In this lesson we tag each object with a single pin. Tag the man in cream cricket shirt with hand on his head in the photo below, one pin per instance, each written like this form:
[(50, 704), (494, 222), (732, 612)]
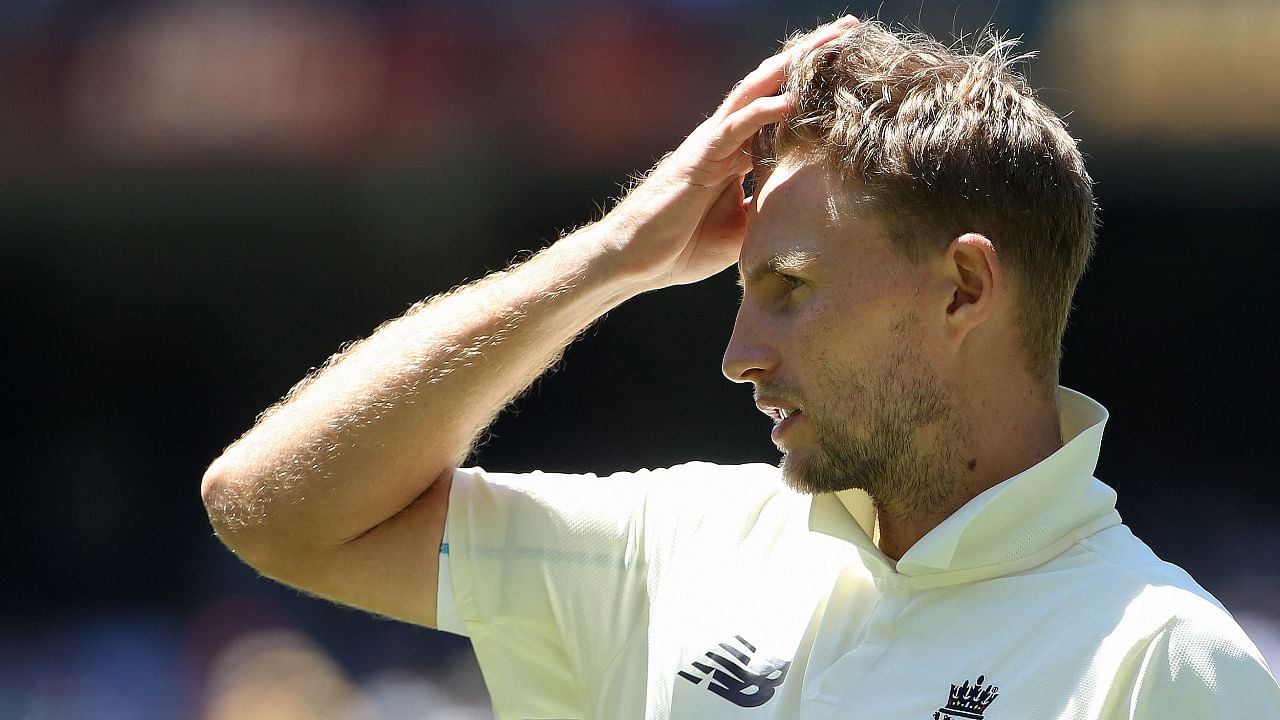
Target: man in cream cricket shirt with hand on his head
[(932, 544)]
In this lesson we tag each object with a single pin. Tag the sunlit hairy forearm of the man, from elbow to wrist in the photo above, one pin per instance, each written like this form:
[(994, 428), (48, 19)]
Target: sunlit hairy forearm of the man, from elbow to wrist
[(363, 439)]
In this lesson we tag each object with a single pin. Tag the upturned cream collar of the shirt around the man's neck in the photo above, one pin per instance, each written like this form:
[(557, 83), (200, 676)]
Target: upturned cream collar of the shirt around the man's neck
[(1016, 525)]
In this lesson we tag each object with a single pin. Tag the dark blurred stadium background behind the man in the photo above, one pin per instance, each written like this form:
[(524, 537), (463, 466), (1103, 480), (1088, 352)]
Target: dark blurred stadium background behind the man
[(202, 200)]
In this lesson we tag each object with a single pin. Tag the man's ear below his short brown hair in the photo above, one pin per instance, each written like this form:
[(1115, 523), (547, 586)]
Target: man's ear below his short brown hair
[(976, 277)]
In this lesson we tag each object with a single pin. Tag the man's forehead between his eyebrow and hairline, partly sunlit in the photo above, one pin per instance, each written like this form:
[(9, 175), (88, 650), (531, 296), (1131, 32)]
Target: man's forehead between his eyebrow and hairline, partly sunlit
[(804, 209)]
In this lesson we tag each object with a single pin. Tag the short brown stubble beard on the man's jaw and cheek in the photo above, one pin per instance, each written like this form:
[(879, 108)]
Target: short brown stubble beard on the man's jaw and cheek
[(870, 438)]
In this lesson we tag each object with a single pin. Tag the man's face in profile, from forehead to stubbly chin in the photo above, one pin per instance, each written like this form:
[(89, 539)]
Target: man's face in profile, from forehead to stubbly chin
[(839, 341)]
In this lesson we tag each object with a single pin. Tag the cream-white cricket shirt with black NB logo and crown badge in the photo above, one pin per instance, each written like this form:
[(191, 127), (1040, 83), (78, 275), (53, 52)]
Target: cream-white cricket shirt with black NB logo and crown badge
[(707, 593)]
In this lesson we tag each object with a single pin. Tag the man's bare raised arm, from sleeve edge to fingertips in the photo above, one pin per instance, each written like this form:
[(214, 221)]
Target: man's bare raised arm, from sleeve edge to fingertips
[(342, 487)]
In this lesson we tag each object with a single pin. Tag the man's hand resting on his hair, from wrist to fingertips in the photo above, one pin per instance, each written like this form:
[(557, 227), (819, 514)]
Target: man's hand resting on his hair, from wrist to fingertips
[(687, 220)]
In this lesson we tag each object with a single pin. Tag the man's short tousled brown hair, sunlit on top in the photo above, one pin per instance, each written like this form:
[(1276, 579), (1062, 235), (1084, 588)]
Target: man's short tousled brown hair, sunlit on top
[(949, 142)]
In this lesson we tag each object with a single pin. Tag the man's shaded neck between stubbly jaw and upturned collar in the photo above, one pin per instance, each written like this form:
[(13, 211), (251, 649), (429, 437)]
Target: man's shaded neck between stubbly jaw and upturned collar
[(1011, 432)]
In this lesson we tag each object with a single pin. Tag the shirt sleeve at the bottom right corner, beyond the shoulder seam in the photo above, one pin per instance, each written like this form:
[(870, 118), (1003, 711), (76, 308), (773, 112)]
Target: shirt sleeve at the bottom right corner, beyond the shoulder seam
[(1208, 668)]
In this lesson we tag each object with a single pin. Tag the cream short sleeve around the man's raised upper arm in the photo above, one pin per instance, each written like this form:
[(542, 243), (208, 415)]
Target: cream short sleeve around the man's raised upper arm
[(548, 577)]
